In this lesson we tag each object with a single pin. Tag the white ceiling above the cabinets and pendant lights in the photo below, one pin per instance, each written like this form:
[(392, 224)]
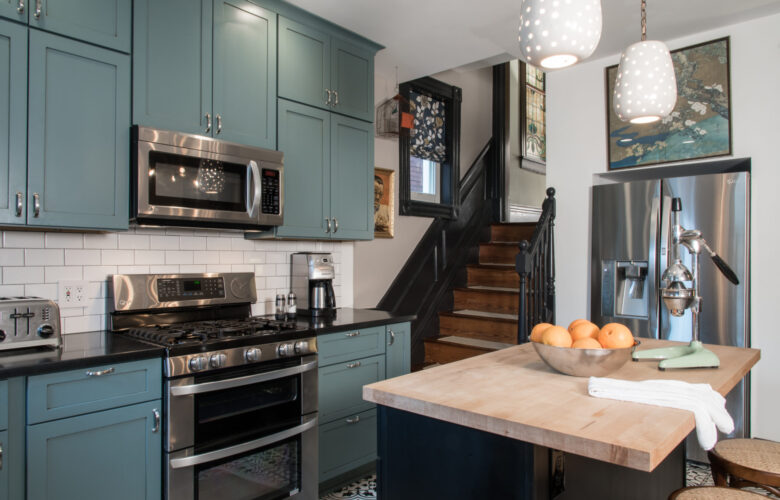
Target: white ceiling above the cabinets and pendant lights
[(423, 37)]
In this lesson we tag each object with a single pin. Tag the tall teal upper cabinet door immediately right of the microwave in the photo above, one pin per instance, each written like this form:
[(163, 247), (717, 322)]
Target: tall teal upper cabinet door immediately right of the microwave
[(304, 138)]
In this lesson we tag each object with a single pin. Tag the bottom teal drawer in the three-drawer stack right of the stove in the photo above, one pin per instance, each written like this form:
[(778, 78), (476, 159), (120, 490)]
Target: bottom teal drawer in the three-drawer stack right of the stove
[(347, 443)]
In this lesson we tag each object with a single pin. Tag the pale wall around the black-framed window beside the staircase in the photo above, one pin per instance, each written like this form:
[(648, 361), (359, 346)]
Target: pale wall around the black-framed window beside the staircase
[(379, 261)]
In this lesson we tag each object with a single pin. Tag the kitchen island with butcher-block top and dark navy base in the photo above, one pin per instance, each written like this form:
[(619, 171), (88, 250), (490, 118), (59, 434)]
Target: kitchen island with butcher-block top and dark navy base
[(505, 425)]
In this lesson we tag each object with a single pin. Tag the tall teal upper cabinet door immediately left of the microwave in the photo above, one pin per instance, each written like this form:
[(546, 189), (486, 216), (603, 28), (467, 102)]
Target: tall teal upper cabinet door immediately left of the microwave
[(78, 134)]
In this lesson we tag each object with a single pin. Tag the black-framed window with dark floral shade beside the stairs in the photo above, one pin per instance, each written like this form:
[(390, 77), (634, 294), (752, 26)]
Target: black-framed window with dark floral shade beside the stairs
[(430, 152)]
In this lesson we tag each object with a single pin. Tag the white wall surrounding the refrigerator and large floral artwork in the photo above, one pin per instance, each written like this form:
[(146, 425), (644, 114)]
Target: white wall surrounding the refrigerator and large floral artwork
[(577, 150)]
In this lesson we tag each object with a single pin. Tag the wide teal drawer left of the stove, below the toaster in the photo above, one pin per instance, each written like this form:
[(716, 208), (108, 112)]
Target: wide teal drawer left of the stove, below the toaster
[(64, 394)]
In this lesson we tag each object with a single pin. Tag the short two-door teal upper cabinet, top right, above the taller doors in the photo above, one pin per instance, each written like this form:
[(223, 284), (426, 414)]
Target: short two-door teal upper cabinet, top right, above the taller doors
[(326, 71)]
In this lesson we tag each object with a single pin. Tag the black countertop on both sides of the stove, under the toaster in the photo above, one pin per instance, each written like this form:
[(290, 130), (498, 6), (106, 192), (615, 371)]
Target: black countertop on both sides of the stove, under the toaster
[(81, 350)]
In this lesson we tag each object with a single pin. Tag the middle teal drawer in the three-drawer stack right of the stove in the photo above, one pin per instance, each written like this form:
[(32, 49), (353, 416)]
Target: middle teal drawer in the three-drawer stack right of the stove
[(341, 386)]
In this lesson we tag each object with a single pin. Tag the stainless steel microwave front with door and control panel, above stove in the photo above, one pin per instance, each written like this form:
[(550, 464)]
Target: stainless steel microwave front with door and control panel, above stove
[(186, 185)]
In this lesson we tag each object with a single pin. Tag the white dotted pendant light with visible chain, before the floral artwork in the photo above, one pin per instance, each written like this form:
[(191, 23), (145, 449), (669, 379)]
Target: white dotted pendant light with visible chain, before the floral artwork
[(645, 86)]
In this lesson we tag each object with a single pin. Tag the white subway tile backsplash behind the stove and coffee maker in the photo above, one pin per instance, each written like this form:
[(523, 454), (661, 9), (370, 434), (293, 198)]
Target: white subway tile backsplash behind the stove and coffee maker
[(32, 263)]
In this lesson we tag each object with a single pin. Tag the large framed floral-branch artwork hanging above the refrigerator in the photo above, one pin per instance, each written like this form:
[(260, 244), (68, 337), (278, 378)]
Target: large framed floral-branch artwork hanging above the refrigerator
[(698, 127)]
